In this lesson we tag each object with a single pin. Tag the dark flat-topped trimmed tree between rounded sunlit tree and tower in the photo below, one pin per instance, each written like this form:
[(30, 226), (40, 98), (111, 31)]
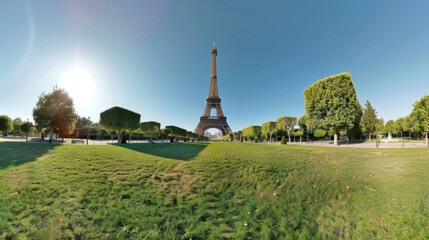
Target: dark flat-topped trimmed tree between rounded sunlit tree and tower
[(120, 119)]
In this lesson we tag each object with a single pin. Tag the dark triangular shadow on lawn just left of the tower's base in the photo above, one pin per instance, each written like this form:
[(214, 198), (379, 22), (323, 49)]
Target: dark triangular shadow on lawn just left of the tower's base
[(178, 151)]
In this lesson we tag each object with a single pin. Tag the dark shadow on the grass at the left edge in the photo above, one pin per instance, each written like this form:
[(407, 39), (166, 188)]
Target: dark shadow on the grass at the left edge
[(16, 153)]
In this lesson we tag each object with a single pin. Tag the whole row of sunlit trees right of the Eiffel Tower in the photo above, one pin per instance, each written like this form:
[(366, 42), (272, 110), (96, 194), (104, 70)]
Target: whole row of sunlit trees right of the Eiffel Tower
[(333, 110)]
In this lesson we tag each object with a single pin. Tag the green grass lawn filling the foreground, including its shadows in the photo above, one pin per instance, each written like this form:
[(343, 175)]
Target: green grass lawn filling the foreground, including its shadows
[(212, 191)]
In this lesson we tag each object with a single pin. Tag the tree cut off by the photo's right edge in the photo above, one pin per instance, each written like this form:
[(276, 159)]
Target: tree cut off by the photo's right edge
[(420, 116)]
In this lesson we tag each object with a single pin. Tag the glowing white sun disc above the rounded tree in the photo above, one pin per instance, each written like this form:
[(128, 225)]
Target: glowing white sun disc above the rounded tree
[(78, 82)]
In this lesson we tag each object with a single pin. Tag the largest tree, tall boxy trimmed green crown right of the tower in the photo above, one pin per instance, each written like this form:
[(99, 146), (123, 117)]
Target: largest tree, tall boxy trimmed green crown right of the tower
[(333, 102)]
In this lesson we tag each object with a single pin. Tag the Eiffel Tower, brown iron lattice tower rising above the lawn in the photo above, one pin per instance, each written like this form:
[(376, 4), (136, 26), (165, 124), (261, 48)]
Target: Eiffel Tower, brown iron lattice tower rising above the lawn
[(213, 102)]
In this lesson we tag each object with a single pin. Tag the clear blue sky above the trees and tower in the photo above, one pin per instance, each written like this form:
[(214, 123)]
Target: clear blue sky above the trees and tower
[(153, 57)]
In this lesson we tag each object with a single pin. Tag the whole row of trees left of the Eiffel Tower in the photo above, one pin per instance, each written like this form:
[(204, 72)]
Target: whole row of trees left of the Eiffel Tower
[(54, 114)]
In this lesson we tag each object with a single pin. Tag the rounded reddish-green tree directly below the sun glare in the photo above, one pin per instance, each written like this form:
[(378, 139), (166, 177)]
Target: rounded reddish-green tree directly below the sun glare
[(55, 111)]
